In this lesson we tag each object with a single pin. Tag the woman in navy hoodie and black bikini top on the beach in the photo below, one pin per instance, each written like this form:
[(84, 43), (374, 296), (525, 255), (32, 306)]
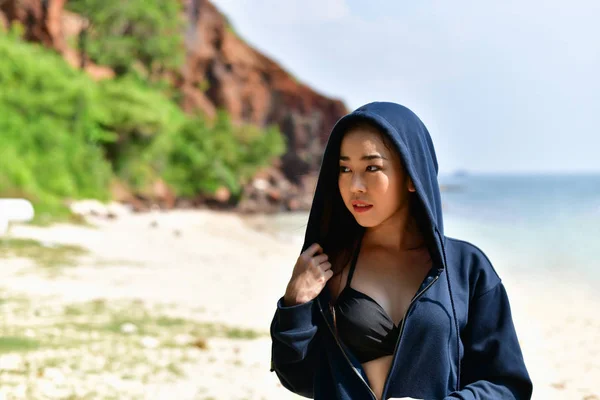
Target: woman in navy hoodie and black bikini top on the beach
[(381, 304)]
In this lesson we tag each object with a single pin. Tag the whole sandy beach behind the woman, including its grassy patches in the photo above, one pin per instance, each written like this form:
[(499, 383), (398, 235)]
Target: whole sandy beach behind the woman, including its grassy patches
[(177, 304)]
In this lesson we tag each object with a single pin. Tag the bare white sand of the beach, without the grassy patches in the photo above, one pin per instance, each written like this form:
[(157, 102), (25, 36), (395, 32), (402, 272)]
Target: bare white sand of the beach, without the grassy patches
[(213, 267)]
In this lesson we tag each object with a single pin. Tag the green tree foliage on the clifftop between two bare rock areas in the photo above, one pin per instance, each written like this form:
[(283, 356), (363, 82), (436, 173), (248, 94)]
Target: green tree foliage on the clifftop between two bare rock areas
[(123, 33)]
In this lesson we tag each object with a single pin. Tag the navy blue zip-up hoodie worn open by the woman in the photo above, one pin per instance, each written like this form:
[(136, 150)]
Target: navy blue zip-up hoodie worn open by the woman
[(457, 340)]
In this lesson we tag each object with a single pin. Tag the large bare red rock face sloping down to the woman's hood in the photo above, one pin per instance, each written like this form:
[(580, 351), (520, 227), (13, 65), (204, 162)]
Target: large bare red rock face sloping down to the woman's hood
[(222, 71)]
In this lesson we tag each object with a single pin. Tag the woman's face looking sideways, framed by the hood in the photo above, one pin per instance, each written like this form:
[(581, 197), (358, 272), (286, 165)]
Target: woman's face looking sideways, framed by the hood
[(371, 174)]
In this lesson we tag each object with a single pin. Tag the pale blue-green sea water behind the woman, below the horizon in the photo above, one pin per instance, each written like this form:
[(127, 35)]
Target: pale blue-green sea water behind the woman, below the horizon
[(541, 224)]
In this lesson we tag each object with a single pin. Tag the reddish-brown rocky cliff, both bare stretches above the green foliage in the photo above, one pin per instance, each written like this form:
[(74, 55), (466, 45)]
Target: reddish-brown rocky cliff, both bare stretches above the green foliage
[(221, 71)]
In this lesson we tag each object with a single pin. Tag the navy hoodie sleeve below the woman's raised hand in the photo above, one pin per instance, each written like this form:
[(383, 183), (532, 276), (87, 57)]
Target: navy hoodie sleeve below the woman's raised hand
[(294, 346)]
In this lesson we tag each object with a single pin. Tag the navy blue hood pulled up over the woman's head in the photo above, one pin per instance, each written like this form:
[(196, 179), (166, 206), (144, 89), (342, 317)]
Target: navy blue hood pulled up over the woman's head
[(333, 226)]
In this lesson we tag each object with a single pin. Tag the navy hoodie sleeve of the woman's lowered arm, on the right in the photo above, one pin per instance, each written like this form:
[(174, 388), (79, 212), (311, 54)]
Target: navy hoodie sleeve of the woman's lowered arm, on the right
[(493, 365)]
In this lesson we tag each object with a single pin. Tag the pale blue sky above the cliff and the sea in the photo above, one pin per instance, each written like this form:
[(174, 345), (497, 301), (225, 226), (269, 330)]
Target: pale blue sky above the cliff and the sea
[(509, 87)]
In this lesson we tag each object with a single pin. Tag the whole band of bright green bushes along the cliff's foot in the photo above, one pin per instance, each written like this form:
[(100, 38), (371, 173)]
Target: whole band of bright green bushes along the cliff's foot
[(64, 135)]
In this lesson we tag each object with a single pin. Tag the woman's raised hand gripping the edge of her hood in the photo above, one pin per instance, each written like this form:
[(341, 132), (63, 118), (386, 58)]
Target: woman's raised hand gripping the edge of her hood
[(309, 277)]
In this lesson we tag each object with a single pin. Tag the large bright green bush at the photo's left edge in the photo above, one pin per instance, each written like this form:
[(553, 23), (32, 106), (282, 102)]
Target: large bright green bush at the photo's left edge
[(48, 130)]
